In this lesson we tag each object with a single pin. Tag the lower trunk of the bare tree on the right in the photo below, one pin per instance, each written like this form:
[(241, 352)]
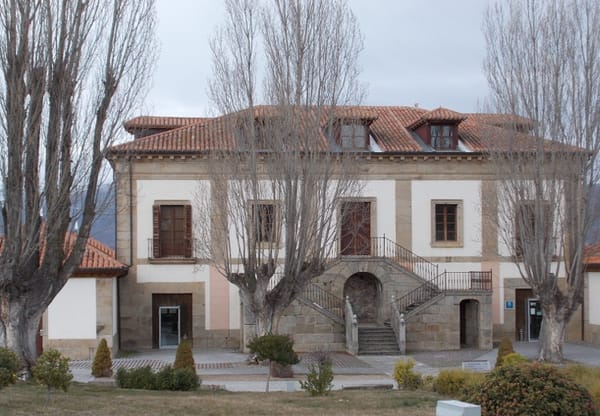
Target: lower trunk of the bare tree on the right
[(552, 335)]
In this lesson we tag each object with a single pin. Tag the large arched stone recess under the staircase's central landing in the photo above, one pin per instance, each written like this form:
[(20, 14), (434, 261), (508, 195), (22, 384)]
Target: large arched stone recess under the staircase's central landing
[(363, 290)]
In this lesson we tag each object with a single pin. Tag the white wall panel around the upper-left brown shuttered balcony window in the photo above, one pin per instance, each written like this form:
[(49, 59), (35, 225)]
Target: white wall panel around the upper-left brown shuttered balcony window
[(150, 191)]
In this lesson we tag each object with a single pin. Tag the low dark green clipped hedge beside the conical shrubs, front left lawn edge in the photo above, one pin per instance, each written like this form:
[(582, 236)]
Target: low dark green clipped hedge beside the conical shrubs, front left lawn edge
[(168, 378)]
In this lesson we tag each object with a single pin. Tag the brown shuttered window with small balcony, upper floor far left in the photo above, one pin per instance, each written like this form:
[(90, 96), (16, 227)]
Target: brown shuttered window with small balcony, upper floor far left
[(172, 231)]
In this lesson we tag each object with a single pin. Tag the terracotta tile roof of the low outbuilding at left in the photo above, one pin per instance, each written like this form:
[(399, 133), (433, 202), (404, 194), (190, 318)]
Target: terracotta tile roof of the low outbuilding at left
[(98, 259)]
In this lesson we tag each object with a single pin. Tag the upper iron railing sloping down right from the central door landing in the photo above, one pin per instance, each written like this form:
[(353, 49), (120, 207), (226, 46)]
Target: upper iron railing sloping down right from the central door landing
[(388, 249)]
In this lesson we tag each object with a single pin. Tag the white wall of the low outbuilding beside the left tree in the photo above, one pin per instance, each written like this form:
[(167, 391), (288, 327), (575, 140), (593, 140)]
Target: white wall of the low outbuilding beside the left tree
[(72, 313)]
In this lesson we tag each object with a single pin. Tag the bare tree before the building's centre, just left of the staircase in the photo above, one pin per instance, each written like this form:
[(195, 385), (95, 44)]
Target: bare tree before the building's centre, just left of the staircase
[(275, 191)]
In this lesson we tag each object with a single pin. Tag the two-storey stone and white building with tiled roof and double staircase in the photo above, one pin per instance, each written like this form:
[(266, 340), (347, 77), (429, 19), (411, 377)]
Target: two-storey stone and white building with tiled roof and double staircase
[(428, 251)]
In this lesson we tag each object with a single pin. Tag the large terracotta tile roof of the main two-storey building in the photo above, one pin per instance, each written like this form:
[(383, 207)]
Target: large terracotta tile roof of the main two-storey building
[(391, 127)]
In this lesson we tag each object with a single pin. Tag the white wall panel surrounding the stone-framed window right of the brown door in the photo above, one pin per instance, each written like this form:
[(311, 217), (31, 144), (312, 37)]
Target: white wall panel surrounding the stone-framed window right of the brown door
[(469, 192)]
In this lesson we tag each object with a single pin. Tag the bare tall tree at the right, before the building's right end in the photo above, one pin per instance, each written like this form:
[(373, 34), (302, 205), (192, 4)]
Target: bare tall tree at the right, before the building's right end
[(543, 64)]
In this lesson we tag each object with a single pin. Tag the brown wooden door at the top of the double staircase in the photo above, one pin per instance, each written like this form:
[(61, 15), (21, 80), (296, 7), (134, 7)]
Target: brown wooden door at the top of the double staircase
[(356, 229)]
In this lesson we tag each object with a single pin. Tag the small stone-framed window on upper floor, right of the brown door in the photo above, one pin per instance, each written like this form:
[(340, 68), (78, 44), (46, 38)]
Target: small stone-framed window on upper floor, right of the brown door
[(447, 223)]
